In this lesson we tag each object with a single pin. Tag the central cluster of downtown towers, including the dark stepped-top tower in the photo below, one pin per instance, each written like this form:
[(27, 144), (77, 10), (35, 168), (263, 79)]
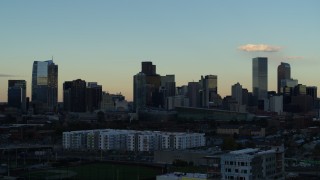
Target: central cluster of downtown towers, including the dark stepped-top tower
[(152, 90)]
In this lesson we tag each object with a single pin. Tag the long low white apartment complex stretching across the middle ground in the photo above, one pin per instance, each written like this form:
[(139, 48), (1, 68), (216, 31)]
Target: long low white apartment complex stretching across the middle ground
[(130, 140)]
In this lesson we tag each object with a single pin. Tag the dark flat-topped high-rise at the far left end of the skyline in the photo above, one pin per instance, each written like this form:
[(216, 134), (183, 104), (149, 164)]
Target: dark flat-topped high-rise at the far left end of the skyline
[(17, 94)]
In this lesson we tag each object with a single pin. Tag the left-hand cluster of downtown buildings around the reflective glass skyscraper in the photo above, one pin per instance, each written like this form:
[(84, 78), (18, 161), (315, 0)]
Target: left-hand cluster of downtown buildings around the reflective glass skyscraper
[(78, 95)]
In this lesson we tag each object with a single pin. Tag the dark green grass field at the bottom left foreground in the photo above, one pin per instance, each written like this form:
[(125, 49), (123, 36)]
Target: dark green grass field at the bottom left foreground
[(99, 171)]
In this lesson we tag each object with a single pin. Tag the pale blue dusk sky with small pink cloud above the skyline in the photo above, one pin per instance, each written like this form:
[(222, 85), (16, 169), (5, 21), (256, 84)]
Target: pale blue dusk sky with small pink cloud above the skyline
[(106, 41)]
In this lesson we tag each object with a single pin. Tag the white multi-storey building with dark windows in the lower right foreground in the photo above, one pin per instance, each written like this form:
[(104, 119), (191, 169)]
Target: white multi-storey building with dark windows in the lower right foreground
[(253, 164)]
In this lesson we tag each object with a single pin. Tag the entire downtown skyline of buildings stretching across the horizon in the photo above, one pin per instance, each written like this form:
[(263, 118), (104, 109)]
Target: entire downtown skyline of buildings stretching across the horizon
[(151, 90)]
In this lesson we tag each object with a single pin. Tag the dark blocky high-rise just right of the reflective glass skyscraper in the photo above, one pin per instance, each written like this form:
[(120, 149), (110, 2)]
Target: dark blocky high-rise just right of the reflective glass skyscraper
[(74, 96)]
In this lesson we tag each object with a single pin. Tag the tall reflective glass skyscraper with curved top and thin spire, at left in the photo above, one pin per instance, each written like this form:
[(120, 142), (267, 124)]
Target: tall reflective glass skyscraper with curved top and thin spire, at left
[(45, 84)]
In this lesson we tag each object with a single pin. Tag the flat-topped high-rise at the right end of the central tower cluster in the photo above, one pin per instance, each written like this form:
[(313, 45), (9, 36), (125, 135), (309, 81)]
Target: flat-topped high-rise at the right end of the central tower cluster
[(209, 90)]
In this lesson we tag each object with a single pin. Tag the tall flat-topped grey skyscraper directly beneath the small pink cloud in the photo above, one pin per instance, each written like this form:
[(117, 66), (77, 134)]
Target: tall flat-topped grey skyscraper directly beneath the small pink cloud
[(260, 77)]
